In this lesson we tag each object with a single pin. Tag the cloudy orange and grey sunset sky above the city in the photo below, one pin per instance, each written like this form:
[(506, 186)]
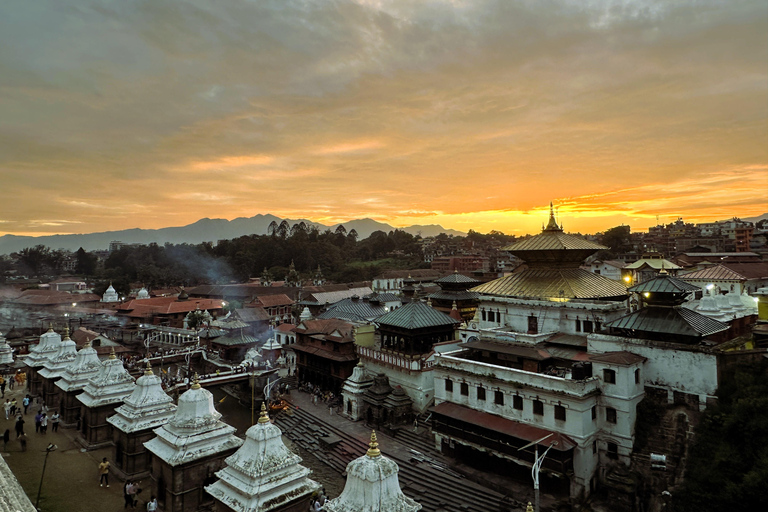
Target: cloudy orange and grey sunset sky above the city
[(473, 114)]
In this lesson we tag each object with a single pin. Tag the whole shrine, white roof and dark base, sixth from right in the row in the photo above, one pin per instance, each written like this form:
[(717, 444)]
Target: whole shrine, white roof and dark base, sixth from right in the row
[(73, 379)]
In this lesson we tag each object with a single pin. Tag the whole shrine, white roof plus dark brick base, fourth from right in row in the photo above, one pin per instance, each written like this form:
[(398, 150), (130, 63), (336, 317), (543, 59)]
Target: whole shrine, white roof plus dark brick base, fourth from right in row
[(134, 422)]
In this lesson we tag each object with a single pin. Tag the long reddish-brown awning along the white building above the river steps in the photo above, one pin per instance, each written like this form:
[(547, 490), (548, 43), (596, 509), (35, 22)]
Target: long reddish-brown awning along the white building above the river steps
[(512, 428)]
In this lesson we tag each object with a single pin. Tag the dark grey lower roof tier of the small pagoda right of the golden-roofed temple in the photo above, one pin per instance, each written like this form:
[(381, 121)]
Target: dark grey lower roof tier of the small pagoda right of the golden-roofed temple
[(676, 321)]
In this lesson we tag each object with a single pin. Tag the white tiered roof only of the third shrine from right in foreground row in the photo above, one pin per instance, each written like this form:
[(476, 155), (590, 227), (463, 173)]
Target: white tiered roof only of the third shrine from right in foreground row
[(195, 431)]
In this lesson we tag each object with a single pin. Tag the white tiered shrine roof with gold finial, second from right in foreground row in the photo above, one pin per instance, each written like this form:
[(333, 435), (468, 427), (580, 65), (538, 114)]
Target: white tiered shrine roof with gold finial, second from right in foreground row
[(263, 474)]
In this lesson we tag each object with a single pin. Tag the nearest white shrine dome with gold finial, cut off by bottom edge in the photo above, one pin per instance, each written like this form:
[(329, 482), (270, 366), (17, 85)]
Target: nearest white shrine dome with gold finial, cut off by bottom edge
[(372, 486)]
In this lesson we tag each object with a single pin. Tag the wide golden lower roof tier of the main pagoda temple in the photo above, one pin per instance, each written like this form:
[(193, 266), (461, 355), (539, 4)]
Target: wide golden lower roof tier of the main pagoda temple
[(575, 283)]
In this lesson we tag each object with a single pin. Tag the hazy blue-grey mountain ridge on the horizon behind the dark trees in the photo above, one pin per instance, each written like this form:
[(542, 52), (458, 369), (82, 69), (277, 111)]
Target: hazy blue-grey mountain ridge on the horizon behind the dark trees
[(204, 230)]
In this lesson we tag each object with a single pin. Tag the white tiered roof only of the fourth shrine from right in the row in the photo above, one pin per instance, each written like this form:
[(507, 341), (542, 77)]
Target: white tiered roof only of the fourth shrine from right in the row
[(148, 406)]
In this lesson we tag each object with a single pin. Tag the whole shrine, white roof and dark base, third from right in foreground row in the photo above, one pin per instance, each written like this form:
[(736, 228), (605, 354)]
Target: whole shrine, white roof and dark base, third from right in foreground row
[(188, 451)]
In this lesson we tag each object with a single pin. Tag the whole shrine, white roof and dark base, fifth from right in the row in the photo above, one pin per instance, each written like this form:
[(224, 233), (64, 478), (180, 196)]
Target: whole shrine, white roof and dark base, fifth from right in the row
[(100, 397)]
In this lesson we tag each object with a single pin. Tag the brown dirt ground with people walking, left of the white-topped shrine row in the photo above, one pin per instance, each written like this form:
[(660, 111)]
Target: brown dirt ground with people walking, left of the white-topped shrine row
[(71, 480)]
